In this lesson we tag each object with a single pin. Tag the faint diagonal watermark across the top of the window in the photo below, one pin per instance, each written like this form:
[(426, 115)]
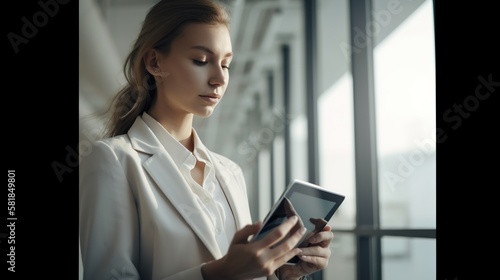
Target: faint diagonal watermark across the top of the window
[(380, 19)]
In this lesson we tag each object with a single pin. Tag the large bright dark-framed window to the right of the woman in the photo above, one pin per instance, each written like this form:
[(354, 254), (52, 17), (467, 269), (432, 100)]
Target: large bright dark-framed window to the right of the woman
[(376, 131)]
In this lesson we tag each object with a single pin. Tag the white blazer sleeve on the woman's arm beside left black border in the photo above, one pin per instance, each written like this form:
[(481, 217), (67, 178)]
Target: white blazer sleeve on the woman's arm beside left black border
[(109, 232)]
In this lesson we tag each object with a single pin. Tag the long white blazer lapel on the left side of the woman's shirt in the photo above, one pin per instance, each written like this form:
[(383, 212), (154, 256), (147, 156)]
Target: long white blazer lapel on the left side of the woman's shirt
[(166, 175)]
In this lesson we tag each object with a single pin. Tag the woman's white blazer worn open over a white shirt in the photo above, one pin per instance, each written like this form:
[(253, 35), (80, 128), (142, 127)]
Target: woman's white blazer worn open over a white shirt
[(138, 216)]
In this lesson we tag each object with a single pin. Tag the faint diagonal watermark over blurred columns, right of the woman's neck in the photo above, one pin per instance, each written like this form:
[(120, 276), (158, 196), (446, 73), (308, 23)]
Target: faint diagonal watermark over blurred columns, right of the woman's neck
[(274, 123)]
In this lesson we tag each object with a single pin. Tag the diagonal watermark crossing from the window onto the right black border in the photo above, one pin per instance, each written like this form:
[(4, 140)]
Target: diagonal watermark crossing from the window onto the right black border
[(453, 116)]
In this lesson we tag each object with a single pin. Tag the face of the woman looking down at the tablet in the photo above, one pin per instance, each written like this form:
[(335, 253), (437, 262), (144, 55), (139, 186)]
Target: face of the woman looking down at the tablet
[(195, 72)]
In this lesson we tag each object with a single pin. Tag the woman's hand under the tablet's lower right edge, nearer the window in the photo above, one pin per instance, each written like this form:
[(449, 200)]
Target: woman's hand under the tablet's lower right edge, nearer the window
[(313, 258)]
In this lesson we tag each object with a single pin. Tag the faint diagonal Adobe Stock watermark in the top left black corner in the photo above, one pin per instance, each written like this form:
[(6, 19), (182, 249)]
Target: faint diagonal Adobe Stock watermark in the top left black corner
[(31, 26)]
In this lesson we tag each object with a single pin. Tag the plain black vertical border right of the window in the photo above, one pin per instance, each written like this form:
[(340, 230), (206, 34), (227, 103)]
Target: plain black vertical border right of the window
[(467, 147)]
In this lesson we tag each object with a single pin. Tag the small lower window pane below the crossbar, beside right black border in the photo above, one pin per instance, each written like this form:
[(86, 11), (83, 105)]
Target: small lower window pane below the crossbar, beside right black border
[(408, 258)]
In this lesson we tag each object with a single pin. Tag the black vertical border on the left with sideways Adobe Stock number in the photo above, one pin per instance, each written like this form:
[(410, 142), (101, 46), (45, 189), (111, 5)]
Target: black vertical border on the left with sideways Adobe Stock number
[(41, 89)]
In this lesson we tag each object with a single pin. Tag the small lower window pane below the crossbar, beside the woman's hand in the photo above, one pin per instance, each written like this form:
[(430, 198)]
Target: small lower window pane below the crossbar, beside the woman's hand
[(342, 263)]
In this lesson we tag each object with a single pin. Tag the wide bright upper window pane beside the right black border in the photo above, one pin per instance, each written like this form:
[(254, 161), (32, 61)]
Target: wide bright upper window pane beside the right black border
[(404, 69)]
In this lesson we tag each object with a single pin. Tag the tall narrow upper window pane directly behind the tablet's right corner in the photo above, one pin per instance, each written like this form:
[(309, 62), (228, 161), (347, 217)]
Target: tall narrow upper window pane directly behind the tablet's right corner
[(335, 108)]
